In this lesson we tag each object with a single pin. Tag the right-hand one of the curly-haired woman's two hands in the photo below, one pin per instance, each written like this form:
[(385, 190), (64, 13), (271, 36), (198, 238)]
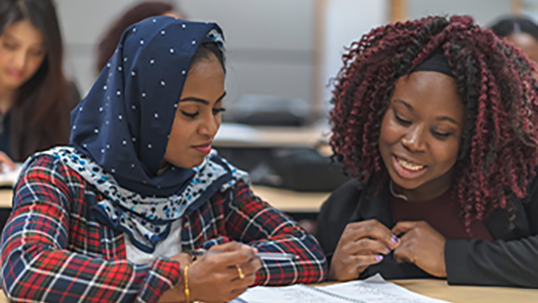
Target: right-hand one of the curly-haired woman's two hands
[(421, 245)]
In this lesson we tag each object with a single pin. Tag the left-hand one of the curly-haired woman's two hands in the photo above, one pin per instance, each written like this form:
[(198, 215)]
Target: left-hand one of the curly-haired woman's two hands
[(361, 245)]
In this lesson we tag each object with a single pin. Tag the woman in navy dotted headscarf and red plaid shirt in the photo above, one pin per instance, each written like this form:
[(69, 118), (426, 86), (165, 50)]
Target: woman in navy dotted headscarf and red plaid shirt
[(116, 215)]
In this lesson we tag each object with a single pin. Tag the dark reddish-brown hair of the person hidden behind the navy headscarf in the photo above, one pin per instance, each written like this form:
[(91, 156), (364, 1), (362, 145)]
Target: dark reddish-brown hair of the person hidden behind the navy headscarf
[(137, 13)]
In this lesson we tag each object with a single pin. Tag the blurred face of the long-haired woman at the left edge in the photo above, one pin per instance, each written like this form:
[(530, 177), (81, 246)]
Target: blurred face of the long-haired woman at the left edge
[(22, 51)]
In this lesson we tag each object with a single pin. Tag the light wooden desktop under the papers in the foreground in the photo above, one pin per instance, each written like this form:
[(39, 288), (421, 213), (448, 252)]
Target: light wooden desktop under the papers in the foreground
[(456, 294)]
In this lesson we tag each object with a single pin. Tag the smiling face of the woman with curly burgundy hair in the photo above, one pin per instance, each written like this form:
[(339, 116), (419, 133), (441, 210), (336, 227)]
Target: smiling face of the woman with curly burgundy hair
[(421, 133)]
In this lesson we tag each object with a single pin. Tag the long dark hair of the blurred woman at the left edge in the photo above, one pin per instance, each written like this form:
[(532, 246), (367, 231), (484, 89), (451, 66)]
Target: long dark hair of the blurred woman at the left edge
[(40, 111)]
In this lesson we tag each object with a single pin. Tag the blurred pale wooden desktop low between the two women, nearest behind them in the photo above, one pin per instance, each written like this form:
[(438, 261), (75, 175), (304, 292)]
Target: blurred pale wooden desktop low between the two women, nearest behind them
[(291, 201)]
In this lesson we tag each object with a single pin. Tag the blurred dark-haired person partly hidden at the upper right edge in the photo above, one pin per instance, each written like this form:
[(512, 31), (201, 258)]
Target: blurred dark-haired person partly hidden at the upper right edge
[(520, 31)]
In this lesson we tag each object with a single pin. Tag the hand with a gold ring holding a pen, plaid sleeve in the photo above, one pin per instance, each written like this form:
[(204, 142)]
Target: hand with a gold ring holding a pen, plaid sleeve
[(215, 277)]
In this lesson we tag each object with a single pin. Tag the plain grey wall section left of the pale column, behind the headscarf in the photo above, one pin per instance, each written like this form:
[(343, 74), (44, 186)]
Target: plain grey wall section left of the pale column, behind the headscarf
[(270, 48)]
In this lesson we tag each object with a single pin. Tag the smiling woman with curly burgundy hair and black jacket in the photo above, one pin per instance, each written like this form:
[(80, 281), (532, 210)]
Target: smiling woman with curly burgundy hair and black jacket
[(436, 121)]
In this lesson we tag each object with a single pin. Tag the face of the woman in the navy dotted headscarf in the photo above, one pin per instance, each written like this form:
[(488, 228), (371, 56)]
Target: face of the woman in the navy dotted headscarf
[(198, 115)]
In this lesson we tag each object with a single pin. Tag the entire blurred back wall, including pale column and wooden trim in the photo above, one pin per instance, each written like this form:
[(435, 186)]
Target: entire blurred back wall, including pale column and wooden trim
[(275, 47)]
